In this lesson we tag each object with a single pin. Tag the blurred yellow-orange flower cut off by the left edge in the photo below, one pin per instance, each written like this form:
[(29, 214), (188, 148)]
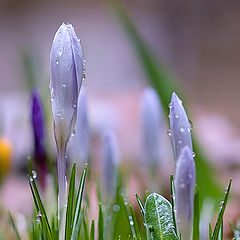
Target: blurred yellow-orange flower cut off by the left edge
[(5, 156)]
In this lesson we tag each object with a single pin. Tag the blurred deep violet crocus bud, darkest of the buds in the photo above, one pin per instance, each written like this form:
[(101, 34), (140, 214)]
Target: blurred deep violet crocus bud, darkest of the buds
[(37, 117)]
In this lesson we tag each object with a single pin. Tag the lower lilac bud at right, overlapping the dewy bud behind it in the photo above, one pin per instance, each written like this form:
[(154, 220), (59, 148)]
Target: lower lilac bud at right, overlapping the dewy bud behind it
[(185, 178)]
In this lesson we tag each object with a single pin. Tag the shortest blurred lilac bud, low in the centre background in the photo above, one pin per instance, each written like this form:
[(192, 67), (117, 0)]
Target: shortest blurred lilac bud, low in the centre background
[(110, 162)]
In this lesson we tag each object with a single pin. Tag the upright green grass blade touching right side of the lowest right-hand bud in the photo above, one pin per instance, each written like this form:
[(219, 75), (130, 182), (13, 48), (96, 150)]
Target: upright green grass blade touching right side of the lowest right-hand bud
[(196, 215)]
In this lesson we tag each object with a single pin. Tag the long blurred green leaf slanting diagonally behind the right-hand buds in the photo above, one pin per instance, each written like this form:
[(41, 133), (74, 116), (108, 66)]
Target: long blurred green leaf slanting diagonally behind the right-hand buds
[(159, 78)]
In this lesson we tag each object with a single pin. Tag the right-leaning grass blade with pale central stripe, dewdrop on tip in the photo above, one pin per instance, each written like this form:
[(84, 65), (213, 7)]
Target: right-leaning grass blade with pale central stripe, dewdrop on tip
[(77, 209)]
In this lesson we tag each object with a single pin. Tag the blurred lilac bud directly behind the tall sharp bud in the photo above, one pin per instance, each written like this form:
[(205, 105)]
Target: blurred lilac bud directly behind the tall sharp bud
[(78, 147)]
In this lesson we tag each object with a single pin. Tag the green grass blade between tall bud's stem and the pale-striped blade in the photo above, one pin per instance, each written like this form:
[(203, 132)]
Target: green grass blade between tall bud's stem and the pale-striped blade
[(69, 214)]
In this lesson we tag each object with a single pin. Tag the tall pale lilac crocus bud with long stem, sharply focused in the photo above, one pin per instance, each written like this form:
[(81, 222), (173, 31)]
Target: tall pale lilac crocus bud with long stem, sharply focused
[(67, 69)]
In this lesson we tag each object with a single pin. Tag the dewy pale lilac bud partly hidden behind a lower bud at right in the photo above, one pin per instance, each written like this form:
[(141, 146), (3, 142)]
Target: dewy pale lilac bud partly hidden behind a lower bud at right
[(180, 127)]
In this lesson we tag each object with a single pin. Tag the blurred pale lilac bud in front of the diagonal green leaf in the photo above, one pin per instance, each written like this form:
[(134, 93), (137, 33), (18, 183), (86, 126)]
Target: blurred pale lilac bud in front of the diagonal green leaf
[(151, 121)]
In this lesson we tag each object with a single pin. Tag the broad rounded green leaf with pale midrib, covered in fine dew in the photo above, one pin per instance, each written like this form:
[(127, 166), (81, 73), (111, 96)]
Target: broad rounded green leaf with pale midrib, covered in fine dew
[(159, 218)]
